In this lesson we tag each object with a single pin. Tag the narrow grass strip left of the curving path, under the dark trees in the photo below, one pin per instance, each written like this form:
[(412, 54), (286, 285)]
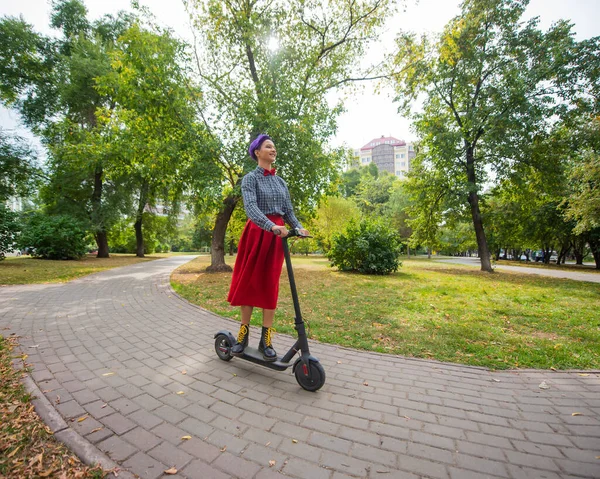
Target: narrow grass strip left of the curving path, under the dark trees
[(27, 270)]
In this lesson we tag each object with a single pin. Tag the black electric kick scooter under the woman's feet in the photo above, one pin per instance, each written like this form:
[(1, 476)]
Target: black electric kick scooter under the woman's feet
[(307, 369)]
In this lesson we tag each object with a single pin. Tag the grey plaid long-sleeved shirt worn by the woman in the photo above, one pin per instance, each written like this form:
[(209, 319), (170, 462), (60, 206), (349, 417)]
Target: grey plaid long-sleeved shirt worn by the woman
[(267, 195)]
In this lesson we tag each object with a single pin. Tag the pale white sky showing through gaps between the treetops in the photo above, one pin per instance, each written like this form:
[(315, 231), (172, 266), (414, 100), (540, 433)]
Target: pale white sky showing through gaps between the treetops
[(368, 115)]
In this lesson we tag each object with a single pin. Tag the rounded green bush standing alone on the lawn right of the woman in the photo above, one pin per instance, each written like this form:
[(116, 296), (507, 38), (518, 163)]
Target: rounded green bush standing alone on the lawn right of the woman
[(369, 248)]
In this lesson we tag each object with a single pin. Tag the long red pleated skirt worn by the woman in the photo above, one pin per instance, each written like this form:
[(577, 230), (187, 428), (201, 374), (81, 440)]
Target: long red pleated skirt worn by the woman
[(255, 280)]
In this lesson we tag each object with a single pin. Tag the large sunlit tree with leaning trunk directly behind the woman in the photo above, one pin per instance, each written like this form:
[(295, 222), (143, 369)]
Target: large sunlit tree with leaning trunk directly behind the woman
[(267, 66)]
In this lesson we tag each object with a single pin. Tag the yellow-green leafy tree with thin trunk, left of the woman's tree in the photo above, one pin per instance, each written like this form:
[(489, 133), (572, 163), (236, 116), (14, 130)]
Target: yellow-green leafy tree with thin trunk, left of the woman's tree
[(152, 124)]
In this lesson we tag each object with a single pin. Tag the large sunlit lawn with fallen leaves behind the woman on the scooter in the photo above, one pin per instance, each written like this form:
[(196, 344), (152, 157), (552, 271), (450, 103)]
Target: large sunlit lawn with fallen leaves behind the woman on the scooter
[(431, 310)]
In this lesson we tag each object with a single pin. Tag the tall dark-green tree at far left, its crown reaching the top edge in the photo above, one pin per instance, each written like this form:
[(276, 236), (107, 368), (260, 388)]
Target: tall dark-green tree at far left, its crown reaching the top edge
[(51, 82)]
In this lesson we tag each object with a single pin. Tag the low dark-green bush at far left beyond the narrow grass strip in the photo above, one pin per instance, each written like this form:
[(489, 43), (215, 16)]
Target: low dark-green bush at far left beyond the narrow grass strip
[(54, 237)]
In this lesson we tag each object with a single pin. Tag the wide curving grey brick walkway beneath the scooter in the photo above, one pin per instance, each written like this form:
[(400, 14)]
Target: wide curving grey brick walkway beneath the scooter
[(121, 349)]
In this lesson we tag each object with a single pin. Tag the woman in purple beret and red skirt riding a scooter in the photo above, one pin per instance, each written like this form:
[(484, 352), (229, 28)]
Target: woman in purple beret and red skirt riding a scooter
[(255, 281)]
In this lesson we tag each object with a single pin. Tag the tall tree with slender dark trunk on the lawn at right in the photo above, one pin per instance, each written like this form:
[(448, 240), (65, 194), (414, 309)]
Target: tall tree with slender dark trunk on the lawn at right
[(490, 86)]
